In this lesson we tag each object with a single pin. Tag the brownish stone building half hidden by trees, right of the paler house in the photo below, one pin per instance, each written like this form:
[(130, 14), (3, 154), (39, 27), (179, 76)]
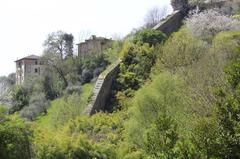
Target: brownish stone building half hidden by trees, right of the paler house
[(93, 46)]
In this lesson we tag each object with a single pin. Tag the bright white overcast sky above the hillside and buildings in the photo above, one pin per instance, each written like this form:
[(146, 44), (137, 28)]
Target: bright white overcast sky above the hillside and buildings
[(25, 24)]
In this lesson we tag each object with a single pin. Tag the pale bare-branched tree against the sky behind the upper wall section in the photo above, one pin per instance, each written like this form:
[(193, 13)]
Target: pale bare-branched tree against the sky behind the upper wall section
[(154, 16)]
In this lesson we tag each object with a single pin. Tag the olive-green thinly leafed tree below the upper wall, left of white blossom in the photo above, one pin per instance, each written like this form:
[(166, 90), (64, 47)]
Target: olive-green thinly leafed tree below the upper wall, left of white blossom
[(181, 50)]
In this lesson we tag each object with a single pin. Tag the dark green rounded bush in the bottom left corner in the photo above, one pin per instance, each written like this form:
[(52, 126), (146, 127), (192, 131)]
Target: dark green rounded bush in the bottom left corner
[(14, 139)]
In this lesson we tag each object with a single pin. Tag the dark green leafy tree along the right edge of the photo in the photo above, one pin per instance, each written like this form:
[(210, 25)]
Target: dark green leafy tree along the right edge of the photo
[(228, 113)]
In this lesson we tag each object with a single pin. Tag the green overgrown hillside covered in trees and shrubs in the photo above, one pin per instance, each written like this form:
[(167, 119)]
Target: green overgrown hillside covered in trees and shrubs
[(176, 95)]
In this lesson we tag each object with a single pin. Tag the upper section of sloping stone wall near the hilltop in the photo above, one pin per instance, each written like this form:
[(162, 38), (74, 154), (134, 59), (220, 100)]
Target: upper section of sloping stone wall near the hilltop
[(171, 23)]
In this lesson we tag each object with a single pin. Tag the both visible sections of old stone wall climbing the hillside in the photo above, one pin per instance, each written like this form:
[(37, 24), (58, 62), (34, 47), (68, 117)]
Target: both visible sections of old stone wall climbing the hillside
[(102, 89)]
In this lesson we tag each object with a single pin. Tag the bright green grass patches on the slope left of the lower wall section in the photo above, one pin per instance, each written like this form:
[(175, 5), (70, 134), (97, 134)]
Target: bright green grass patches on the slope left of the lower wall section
[(45, 121)]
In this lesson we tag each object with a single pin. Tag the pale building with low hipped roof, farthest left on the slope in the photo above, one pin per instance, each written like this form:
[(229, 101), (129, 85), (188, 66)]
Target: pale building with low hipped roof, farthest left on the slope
[(28, 66)]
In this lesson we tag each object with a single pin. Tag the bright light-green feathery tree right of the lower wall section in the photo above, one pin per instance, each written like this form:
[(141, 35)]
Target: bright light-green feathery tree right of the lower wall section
[(158, 102)]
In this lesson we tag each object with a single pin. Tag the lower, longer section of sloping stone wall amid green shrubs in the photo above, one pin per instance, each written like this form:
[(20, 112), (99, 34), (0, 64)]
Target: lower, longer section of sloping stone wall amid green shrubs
[(102, 89)]
